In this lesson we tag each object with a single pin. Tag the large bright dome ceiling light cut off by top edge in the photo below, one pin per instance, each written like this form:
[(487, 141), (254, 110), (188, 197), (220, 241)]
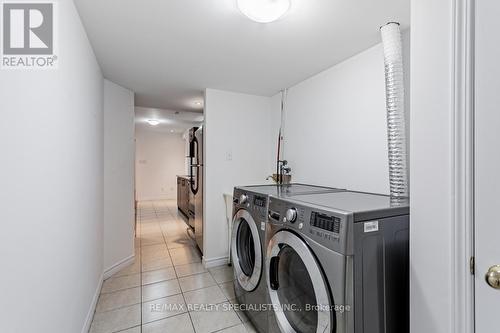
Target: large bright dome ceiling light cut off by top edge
[(264, 11)]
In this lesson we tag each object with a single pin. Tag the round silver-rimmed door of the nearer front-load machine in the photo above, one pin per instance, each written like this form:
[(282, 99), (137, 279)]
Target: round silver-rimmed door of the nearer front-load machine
[(298, 291)]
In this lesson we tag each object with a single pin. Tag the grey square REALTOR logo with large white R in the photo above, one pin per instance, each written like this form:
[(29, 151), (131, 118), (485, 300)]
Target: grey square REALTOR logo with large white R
[(28, 35)]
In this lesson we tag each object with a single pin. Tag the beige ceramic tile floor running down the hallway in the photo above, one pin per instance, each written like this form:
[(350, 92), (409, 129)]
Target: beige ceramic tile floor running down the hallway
[(167, 288)]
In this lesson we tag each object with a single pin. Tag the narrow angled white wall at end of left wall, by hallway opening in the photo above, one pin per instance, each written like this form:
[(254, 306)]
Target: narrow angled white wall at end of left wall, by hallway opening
[(119, 151)]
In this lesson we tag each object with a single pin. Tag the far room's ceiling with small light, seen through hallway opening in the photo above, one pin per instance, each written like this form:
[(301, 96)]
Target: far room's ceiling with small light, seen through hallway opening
[(170, 121)]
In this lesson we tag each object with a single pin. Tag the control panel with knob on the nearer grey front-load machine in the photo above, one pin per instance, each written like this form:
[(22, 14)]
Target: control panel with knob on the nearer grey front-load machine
[(313, 223)]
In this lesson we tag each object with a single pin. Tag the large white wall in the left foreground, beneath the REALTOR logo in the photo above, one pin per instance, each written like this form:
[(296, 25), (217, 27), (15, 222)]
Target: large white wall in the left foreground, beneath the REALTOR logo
[(51, 198)]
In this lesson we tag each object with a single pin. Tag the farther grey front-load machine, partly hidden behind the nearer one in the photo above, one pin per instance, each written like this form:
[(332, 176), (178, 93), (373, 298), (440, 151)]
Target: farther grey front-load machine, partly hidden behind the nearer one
[(250, 209)]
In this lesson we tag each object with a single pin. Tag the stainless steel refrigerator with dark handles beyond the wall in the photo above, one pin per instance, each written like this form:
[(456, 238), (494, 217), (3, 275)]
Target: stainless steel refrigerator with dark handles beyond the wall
[(196, 183)]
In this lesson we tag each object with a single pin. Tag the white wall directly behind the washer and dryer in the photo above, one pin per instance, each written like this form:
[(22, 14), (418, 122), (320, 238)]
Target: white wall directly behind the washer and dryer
[(335, 124)]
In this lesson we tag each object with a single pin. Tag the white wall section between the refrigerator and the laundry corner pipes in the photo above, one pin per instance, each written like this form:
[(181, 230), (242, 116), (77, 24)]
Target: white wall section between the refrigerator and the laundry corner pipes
[(237, 134)]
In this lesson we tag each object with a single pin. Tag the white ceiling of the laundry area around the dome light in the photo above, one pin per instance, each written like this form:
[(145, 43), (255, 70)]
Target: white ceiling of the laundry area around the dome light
[(169, 51)]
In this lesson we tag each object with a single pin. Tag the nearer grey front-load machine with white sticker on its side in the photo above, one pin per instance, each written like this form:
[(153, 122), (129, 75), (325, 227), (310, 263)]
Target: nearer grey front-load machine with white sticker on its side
[(338, 262)]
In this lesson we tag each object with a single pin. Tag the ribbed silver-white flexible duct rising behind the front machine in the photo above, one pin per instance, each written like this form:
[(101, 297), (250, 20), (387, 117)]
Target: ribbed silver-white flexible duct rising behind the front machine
[(395, 102)]
